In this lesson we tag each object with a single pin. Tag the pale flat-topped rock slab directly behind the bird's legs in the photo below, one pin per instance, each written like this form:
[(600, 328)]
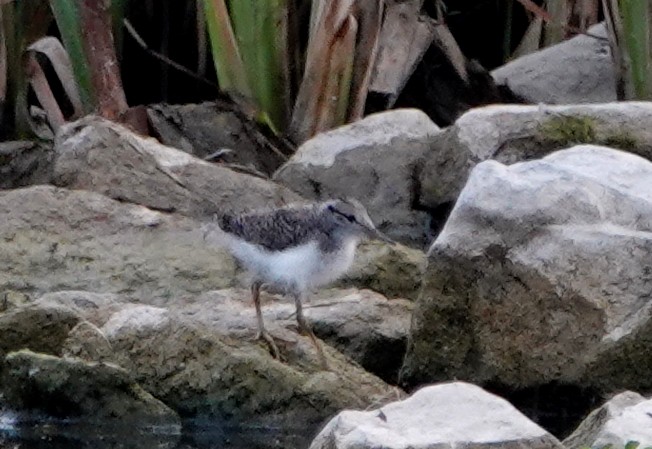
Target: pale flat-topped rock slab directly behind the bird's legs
[(359, 323)]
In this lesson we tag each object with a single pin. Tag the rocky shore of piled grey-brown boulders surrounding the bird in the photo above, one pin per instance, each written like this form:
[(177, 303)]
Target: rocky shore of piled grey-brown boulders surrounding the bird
[(516, 310)]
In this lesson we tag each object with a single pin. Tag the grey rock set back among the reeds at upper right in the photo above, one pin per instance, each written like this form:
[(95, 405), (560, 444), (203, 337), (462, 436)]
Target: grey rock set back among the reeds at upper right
[(579, 70)]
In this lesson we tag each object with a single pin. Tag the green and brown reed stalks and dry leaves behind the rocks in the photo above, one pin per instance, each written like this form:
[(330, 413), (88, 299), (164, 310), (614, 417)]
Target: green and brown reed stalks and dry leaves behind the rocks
[(298, 80)]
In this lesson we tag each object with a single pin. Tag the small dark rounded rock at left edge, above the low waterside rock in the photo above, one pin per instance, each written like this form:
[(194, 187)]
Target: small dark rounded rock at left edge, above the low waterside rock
[(41, 327)]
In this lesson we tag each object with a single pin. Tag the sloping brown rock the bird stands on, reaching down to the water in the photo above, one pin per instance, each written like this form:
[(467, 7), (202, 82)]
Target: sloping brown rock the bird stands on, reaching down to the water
[(199, 356)]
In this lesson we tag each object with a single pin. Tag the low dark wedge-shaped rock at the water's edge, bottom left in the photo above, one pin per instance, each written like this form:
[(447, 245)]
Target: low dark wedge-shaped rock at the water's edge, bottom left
[(74, 390)]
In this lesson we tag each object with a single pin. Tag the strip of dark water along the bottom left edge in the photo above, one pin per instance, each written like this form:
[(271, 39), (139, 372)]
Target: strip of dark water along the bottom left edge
[(72, 437)]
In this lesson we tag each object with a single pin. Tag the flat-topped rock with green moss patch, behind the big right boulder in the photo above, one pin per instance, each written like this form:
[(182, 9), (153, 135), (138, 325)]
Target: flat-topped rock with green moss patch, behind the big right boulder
[(510, 134)]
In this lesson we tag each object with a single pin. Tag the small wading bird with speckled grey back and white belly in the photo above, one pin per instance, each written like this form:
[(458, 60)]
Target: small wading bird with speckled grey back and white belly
[(294, 248)]
